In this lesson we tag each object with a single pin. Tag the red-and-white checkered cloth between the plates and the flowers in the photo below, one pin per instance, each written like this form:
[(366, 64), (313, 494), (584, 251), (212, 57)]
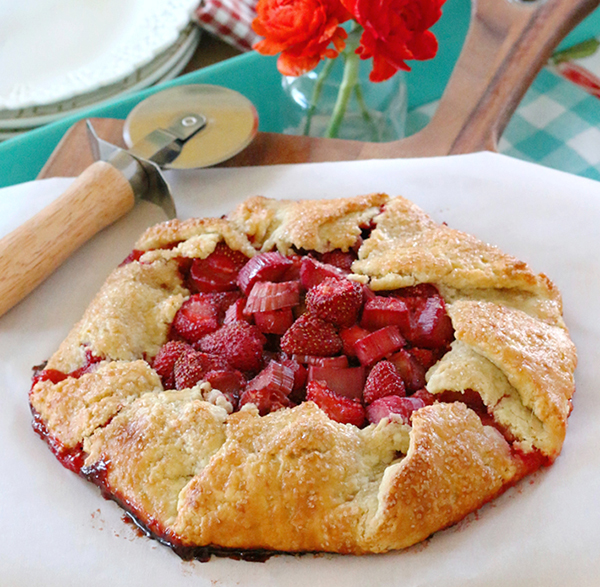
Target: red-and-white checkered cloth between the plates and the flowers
[(230, 20)]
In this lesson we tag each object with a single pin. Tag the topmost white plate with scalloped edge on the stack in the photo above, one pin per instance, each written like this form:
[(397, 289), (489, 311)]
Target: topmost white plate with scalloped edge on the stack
[(52, 51)]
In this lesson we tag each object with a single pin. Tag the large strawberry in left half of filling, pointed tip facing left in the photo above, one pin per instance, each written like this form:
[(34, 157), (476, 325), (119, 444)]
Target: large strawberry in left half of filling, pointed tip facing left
[(240, 343)]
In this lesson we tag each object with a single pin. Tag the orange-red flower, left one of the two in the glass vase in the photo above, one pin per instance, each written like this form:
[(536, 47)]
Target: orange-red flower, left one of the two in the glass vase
[(302, 30)]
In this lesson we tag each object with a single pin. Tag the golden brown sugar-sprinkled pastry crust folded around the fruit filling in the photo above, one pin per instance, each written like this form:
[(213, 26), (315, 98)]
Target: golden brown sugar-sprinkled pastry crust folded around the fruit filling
[(295, 480)]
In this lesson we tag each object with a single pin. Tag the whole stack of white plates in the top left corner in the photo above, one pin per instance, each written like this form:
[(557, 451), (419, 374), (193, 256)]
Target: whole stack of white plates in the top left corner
[(59, 57)]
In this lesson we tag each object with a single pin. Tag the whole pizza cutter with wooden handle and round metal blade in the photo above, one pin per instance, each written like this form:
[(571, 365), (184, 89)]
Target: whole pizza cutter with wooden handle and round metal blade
[(179, 128)]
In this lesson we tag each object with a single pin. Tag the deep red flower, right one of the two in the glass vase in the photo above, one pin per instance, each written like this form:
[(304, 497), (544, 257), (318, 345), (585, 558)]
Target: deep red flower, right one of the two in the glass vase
[(394, 31)]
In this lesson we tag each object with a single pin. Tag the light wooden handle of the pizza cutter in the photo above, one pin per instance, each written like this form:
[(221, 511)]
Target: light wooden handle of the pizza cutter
[(29, 254)]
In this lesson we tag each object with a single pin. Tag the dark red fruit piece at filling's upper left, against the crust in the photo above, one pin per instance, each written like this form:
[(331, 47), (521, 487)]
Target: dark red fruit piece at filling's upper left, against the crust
[(219, 271)]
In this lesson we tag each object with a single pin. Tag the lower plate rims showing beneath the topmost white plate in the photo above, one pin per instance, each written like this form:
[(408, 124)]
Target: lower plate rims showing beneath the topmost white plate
[(164, 67)]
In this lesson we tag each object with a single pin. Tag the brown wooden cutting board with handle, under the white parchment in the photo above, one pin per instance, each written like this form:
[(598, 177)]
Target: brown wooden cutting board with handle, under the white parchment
[(508, 42)]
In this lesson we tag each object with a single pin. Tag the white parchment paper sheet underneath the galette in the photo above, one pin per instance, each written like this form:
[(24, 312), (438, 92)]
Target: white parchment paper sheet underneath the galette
[(56, 530)]
